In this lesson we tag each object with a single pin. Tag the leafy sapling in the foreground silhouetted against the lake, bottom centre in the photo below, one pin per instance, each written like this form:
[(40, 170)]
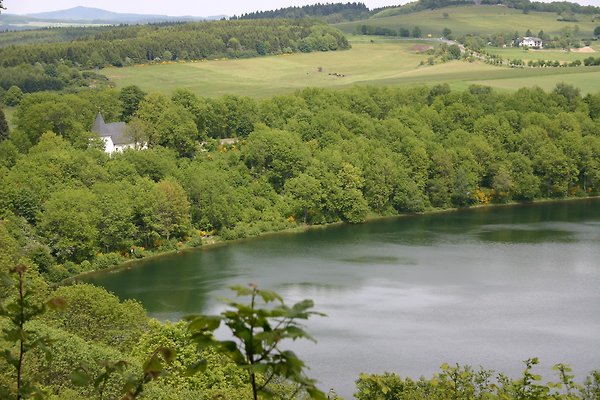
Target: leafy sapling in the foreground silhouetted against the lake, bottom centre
[(258, 329)]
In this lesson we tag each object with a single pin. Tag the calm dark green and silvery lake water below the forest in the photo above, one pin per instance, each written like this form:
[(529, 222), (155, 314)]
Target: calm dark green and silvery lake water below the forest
[(490, 286)]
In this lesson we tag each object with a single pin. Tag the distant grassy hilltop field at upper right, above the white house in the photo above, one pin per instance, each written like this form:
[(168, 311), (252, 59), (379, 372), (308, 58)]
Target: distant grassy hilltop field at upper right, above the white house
[(477, 20)]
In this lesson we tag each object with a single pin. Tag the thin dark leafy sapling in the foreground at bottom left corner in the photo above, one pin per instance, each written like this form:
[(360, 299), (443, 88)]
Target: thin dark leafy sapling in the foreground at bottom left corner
[(20, 311)]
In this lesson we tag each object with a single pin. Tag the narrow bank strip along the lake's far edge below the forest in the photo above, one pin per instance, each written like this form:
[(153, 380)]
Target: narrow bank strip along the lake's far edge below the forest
[(138, 262)]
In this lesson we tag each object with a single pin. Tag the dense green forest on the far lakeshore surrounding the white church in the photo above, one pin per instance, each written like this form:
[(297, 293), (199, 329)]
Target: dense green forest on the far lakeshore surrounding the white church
[(315, 157)]
